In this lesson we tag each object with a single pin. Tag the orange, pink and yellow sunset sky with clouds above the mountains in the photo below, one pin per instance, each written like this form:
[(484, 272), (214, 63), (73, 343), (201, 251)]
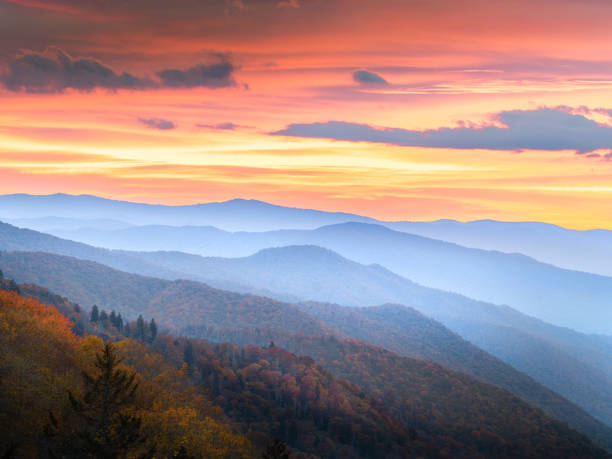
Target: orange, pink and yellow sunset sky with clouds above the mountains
[(395, 109)]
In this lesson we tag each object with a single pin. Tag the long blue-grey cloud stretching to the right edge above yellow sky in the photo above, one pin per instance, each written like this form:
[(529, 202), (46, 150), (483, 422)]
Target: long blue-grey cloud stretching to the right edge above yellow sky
[(541, 129)]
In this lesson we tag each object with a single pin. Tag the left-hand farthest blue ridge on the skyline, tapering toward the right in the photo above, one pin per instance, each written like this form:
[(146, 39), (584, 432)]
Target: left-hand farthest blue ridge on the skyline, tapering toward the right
[(236, 214)]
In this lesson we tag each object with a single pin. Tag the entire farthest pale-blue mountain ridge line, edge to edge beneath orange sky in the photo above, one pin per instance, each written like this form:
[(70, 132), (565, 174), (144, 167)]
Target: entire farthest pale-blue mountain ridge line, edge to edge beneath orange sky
[(589, 250)]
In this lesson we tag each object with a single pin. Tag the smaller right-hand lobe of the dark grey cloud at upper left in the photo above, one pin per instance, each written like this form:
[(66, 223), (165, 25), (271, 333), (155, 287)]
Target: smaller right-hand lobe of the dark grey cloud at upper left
[(213, 75)]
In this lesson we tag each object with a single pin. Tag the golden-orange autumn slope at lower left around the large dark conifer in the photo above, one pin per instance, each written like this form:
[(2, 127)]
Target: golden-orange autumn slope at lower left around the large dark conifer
[(35, 384)]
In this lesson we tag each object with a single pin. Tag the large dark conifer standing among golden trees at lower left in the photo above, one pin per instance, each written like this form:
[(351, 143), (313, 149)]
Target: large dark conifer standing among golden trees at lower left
[(108, 431)]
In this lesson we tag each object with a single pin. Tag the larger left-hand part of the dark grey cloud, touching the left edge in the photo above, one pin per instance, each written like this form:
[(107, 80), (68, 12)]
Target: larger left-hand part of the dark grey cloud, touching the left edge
[(54, 70)]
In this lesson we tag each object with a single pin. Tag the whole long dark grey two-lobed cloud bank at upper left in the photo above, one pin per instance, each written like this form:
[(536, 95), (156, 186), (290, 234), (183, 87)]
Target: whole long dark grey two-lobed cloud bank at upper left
[(54, 71)]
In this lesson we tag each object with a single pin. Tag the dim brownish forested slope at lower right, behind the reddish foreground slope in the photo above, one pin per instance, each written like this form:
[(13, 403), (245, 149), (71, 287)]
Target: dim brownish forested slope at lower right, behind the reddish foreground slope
[(421, 394)]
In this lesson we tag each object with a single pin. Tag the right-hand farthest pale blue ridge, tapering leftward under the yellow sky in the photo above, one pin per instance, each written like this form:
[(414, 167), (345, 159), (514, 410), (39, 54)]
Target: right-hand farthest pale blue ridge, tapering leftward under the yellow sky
[(587, 250)]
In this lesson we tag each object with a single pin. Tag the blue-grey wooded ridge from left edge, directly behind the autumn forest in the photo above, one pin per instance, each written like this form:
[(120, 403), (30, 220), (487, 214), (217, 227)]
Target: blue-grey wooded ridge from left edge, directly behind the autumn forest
[(176, 303)]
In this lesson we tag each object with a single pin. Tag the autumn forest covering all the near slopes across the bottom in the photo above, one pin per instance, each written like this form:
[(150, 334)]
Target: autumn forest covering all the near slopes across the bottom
[(187, 397)]
